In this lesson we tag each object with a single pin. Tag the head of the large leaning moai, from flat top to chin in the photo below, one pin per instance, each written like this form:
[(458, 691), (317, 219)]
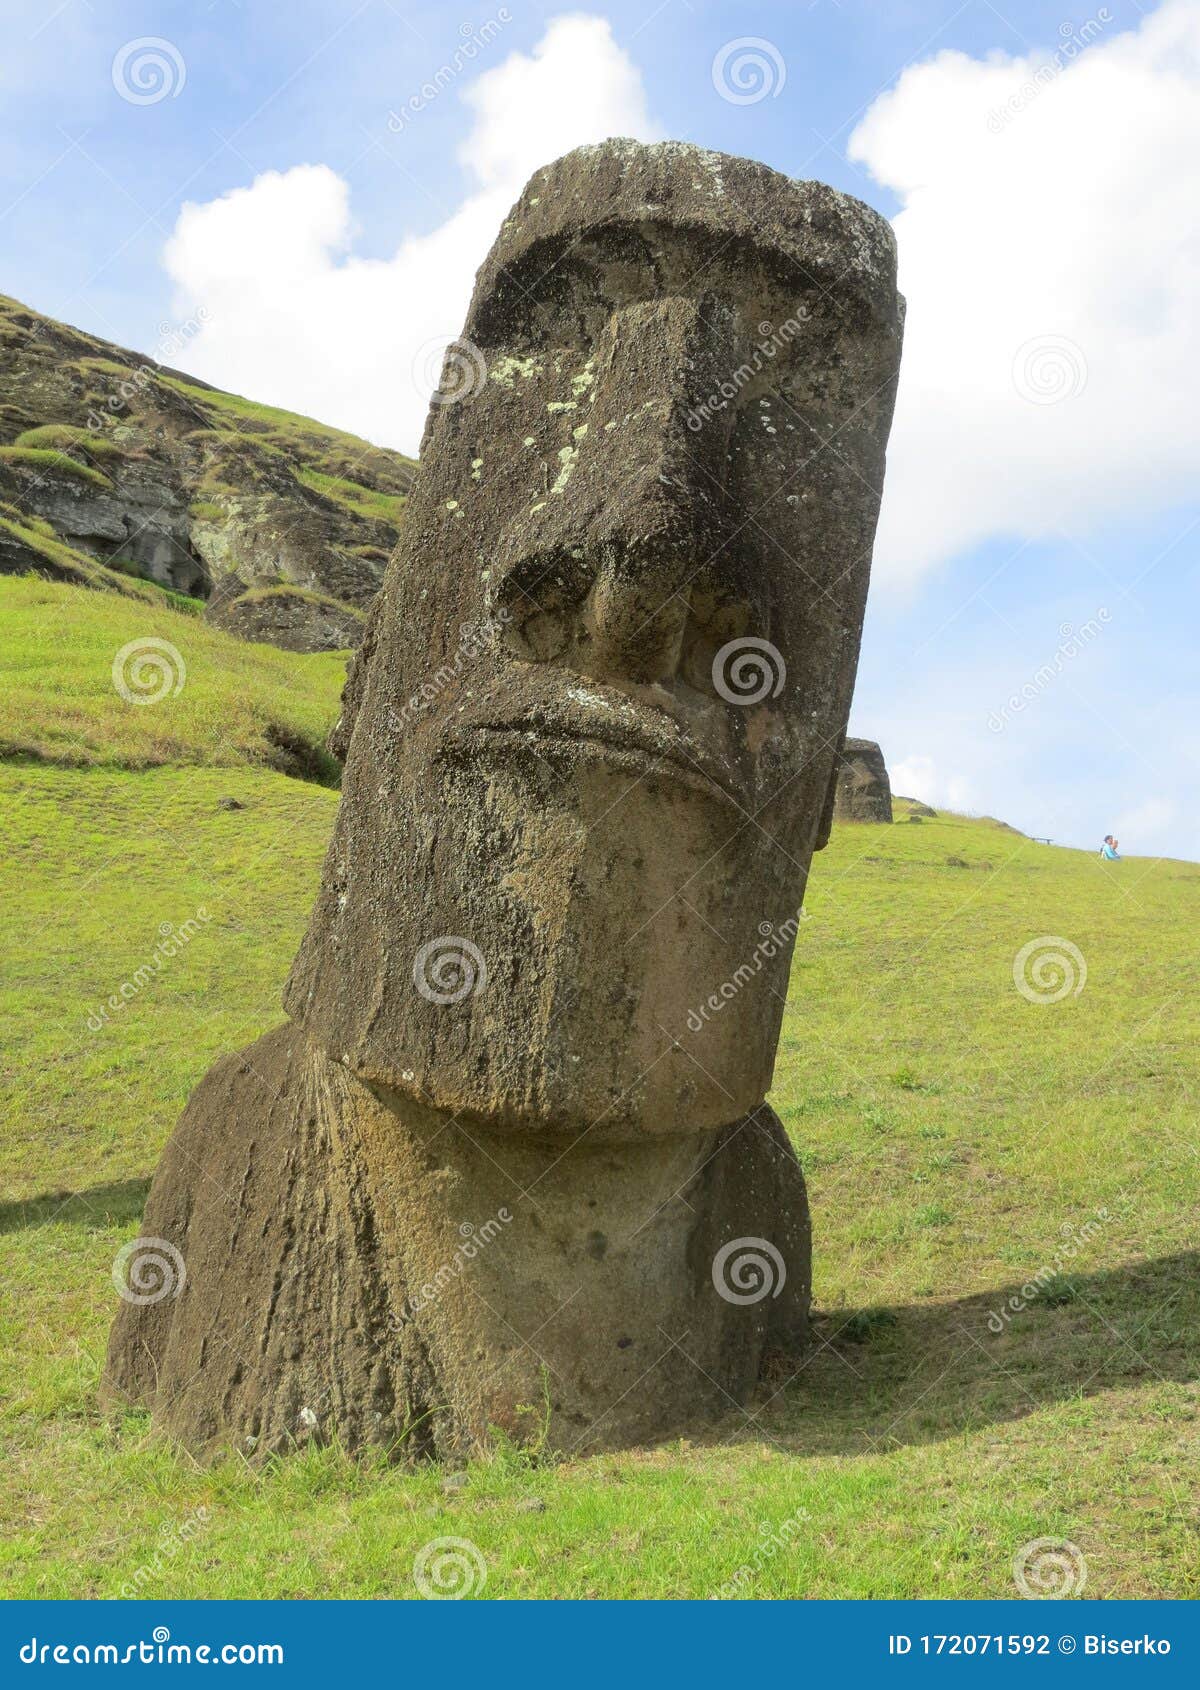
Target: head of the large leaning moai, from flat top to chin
[(597, 719)]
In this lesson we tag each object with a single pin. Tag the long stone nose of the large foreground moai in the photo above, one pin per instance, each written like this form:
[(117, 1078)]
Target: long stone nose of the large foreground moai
[(653, 476)]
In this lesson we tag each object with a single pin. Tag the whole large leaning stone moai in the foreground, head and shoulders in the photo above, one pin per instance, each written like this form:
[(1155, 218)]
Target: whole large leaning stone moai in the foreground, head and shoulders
[(508, 1164)]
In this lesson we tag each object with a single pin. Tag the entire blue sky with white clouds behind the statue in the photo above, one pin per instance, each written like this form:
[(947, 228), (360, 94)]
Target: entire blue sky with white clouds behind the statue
[(1042, 530)]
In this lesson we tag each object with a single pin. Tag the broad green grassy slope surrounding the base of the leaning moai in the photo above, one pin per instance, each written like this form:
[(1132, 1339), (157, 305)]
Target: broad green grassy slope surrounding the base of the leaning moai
[(959, 1142)]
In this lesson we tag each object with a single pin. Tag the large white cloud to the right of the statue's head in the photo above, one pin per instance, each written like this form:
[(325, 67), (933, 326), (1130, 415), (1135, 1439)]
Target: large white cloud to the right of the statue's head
[(1049, 232)]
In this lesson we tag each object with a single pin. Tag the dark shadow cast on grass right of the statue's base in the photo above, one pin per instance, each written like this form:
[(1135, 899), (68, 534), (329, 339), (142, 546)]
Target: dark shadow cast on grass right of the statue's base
[(883, 1378)]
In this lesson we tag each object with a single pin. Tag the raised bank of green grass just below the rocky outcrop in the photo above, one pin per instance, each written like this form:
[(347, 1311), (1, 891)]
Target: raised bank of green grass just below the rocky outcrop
[(224, 701)]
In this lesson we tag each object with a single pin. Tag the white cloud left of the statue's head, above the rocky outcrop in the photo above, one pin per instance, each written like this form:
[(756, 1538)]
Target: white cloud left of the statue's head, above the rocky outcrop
[(295, 319)]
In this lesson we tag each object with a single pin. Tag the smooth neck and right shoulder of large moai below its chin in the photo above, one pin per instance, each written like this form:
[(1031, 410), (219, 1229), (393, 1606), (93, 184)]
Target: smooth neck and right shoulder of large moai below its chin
[(569, 1289)]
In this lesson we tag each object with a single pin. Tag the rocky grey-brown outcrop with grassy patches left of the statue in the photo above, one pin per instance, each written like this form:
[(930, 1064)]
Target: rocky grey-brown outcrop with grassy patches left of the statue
[(160, 476)]
